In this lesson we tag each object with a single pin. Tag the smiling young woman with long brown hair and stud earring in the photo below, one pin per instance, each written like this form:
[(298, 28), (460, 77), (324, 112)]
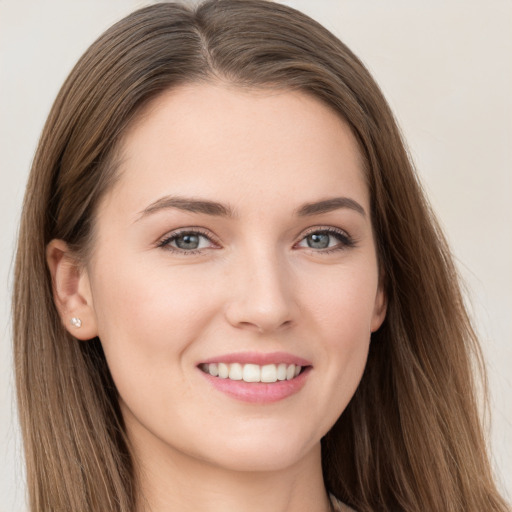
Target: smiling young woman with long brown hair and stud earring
[(230, 292)]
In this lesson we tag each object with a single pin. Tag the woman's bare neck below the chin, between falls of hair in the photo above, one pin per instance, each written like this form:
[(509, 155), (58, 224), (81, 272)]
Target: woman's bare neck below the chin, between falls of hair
[(174, 481)]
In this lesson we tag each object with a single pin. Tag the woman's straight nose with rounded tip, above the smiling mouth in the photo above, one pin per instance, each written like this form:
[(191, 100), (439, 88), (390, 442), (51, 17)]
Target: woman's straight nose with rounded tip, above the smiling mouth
[(261, 295)]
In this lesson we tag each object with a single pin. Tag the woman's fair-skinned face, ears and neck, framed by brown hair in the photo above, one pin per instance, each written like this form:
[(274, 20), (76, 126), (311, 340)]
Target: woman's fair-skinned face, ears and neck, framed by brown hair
[(274, 275)]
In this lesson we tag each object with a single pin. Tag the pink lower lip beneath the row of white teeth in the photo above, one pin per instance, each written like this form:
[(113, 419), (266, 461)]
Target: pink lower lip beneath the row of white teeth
[(259, 392)]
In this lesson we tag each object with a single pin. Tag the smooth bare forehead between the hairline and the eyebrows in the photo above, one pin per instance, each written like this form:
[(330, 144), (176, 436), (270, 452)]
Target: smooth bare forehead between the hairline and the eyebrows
[(231, 143)]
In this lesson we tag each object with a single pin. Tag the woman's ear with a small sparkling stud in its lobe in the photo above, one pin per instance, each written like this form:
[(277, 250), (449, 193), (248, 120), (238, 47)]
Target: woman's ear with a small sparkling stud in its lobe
[(71, 291)]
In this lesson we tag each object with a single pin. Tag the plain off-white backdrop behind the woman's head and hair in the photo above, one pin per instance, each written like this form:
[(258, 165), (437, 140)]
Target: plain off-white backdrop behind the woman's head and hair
[(446, 69)]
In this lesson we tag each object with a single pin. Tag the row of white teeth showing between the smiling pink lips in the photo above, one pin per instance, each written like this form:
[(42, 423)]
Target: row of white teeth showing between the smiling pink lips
[(267, 373)]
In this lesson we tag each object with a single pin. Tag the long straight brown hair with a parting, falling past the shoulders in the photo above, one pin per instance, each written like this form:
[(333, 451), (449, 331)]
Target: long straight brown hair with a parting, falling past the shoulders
[(411, 438)]
